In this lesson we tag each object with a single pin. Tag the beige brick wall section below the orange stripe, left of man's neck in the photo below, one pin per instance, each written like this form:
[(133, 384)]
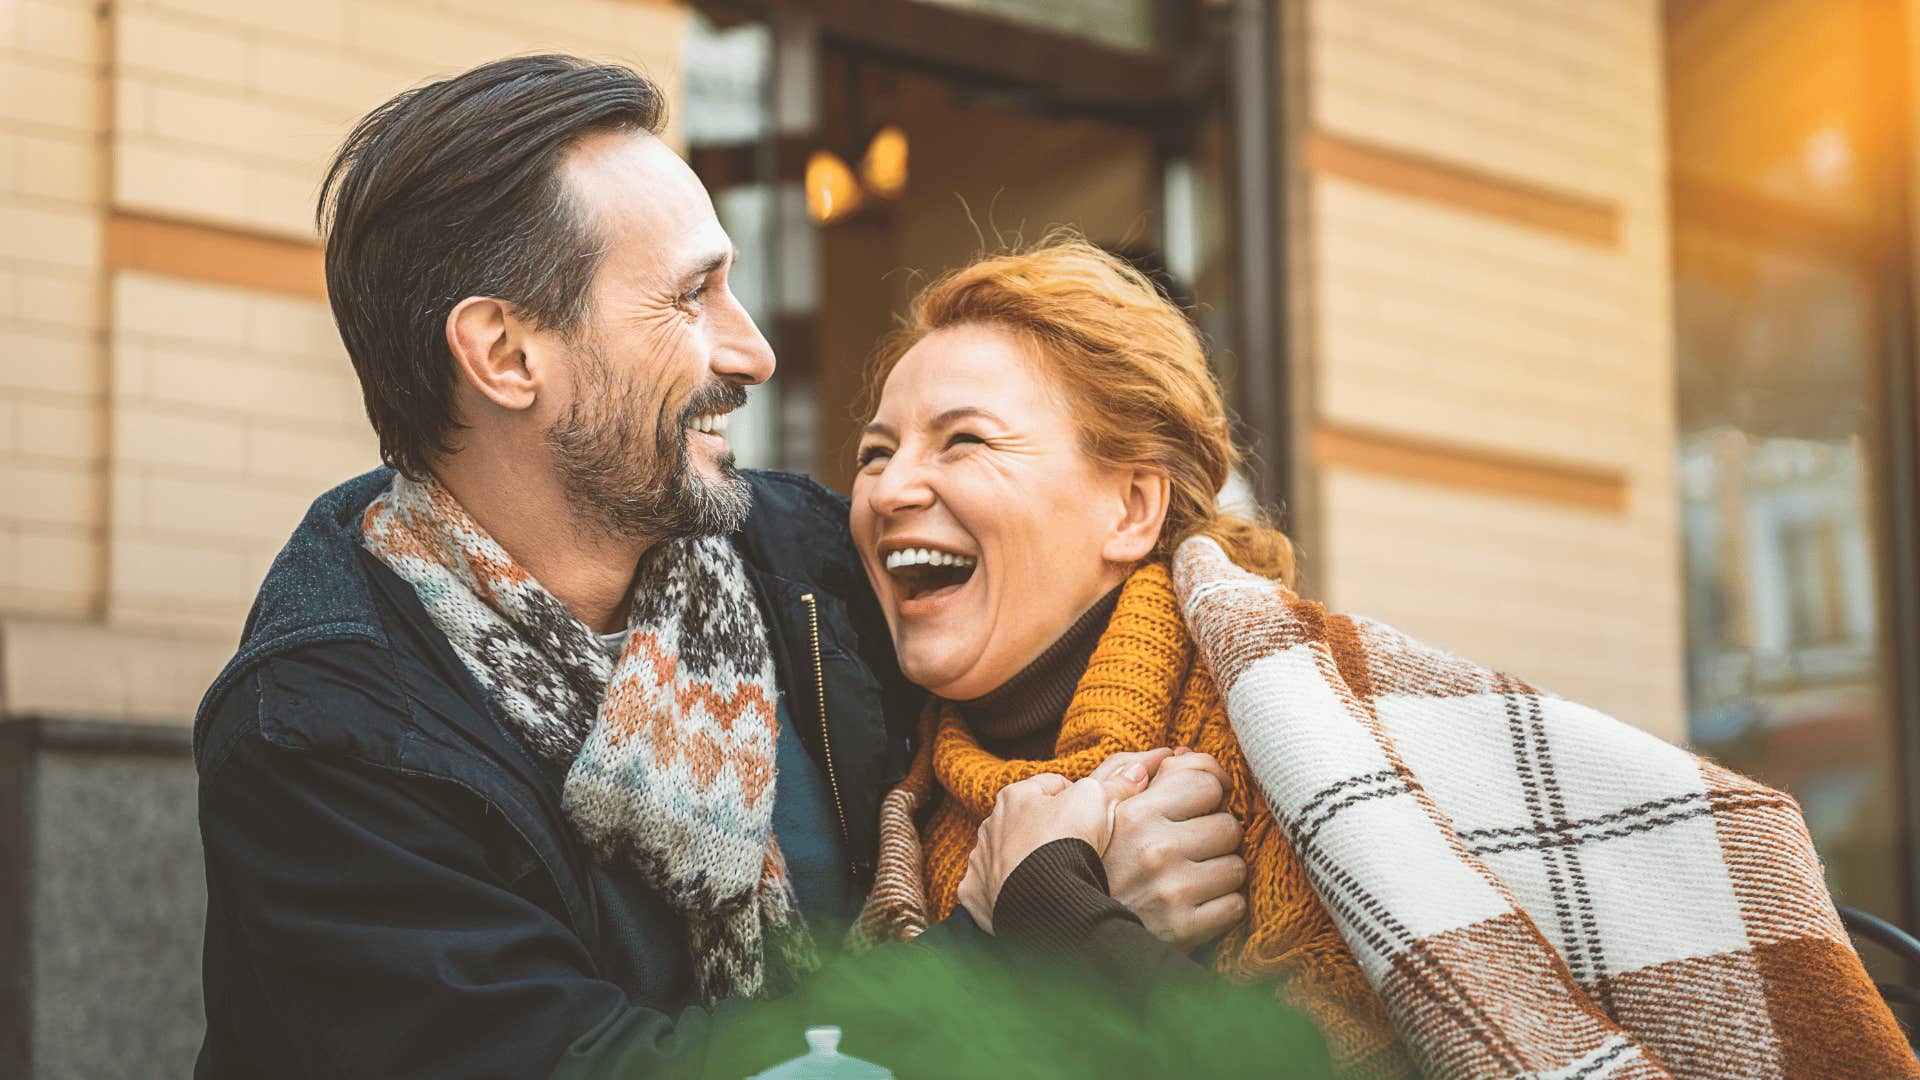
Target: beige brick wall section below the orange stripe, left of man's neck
[(229, 412)]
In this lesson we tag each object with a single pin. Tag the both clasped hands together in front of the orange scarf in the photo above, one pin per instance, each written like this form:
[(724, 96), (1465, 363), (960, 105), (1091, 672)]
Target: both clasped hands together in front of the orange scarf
[(1155, 818)]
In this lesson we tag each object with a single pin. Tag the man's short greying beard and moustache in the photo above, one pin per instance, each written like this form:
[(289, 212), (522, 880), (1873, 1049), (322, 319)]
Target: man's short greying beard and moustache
[(644, 485)]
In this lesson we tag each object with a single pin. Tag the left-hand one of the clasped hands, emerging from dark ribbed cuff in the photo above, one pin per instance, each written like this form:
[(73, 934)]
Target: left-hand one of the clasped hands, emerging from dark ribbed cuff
[(1042, 810)]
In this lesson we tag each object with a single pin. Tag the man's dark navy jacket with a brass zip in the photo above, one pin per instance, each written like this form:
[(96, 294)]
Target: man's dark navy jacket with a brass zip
[(393, 889)]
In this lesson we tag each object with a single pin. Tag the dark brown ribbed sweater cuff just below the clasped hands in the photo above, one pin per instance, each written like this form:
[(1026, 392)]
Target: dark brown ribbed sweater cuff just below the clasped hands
[(1057, 898)]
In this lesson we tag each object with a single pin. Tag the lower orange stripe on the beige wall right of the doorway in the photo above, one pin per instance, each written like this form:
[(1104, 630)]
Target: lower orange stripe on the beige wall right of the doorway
[(1452, 466)]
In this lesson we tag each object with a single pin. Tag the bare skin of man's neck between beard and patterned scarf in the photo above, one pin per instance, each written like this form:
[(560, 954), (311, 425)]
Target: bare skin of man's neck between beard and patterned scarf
[(587, 570)]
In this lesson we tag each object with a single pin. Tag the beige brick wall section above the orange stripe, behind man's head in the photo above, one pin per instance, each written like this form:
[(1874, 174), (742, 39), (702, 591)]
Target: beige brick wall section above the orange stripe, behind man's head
[(228, 110)]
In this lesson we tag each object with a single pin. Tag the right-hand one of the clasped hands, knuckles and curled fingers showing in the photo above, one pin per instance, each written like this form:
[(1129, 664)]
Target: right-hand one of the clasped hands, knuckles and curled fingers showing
[(1174, 856)]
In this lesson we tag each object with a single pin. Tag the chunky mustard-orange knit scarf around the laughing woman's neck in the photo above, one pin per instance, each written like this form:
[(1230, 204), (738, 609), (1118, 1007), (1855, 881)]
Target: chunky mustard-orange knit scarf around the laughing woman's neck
[(1143, 689)]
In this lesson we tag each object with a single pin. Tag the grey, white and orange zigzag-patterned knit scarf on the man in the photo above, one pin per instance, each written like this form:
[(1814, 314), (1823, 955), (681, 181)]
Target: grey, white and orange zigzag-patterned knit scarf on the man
[(669, 750)]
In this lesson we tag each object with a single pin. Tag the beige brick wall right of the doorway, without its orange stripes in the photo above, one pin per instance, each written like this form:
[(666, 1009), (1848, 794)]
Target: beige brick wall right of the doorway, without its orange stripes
[(1447, 326)]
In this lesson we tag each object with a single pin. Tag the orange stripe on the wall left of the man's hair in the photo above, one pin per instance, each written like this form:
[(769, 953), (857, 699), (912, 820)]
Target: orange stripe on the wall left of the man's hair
[(212, 255)]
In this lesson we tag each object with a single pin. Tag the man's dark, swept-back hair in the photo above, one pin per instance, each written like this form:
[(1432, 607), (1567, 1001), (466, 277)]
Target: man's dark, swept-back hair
[(452, 191)]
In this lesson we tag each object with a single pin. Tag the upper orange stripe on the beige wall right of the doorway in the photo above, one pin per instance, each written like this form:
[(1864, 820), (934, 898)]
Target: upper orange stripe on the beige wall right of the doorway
[(1462, 187)]
